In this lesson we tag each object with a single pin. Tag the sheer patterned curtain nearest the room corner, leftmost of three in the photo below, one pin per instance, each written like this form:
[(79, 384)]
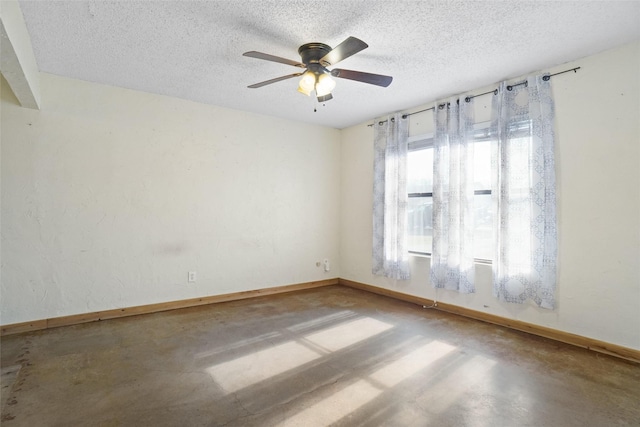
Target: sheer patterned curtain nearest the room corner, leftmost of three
[(390, 256)]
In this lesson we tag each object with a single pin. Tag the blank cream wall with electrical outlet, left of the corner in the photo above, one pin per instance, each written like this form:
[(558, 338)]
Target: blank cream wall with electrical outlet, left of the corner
[(110, 197)]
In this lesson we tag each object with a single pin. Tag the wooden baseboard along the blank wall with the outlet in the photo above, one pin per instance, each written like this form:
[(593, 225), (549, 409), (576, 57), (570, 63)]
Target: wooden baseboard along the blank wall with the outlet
[(55, 322)]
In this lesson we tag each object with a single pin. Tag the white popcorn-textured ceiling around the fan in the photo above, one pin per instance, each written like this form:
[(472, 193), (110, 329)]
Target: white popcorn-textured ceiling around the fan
[(193, 49)]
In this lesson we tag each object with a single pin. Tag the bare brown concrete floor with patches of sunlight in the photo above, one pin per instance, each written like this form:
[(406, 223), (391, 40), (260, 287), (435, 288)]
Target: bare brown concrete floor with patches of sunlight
[(328, 356)]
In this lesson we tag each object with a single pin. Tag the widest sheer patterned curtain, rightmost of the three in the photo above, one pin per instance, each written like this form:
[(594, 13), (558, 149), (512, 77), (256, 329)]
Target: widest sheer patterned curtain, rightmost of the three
[(523, 192)]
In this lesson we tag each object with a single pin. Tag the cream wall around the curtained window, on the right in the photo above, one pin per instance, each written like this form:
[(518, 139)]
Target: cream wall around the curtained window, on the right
[(598, 173)]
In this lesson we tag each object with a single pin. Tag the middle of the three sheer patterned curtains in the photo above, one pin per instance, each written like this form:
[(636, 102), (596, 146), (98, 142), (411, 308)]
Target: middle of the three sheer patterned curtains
[(452, 264)]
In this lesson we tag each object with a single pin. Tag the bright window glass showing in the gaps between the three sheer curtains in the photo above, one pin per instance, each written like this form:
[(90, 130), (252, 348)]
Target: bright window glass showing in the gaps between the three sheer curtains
[(420, 188)]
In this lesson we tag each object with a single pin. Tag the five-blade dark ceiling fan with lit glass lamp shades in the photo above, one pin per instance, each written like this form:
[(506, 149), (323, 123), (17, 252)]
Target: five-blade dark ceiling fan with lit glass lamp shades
[(316, 57)]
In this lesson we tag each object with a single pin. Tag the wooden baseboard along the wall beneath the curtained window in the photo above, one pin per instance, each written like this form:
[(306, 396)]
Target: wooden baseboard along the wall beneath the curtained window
[(542, 331)]
